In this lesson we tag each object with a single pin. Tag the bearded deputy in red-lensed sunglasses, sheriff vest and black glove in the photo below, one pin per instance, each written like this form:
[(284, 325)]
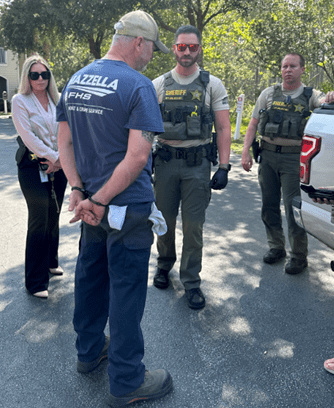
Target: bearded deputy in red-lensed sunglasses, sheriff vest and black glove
[(191, 101)]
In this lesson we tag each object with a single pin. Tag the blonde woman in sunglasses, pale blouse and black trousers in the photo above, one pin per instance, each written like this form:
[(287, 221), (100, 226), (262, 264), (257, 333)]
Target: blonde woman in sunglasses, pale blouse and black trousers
[(42, 182)]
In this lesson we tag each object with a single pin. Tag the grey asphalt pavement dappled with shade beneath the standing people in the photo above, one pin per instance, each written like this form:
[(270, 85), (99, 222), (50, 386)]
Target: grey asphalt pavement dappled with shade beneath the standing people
[(260, 342)]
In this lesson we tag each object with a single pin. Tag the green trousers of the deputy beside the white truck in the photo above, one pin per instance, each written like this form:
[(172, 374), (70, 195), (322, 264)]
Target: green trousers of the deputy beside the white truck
[(280, 172)]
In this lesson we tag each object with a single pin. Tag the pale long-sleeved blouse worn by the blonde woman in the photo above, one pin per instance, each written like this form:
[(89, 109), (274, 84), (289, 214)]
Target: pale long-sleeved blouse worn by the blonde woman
[(37, 128)]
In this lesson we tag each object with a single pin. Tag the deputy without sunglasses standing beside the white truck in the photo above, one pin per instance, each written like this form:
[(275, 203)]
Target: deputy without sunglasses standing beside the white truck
[(280, 116)]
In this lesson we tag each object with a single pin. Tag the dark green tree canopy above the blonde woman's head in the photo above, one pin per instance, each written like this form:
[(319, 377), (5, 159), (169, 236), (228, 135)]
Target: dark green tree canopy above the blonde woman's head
[(36, 25)]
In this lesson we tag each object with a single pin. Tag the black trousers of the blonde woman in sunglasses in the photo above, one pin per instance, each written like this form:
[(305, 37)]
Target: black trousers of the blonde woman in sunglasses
[(43, 225)]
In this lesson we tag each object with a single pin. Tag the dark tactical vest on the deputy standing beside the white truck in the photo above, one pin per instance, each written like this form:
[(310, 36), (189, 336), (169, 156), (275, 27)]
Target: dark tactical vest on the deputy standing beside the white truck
[(287, 117)]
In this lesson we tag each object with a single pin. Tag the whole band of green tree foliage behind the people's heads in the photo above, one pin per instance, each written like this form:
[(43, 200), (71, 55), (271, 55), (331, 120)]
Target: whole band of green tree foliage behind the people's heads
[(243, 41)]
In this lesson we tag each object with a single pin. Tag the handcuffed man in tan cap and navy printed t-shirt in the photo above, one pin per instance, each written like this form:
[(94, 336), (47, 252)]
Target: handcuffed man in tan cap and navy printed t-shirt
[(108, 116)]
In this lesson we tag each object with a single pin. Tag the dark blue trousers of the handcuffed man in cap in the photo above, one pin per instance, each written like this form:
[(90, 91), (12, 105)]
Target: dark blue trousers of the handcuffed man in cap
[(111, 281)]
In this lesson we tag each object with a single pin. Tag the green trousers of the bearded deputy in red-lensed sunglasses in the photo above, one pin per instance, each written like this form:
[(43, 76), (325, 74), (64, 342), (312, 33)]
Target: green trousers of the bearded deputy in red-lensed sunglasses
[(177, 183)]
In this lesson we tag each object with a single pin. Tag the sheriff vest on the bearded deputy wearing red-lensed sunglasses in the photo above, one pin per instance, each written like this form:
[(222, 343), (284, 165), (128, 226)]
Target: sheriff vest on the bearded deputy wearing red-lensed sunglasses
[(183, 110)]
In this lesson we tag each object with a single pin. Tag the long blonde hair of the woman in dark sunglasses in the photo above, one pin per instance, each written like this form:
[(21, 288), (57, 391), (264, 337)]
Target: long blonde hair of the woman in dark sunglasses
[(25, 87)]
